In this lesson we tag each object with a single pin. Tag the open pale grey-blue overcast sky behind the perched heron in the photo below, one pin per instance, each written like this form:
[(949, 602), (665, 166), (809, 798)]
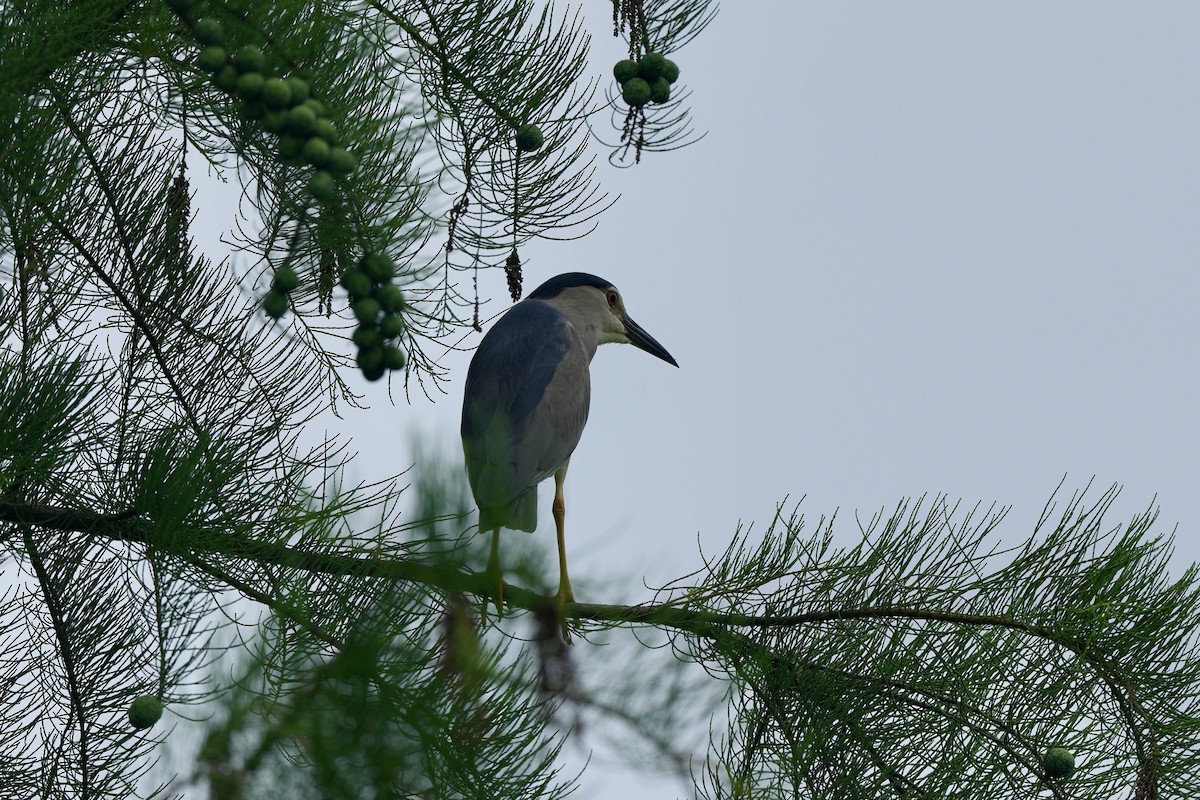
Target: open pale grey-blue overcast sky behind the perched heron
[(927, 248)]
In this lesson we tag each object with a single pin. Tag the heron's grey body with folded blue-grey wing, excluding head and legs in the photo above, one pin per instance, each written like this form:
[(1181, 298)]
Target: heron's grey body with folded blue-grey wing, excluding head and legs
[(525, 406)]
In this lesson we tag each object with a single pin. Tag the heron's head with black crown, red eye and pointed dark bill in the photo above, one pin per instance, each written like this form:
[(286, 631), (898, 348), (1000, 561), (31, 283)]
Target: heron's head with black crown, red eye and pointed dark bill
[(596, 308)]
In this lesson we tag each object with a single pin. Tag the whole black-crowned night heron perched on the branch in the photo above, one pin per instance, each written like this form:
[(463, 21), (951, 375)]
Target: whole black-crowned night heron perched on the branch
[(527, 399)]
